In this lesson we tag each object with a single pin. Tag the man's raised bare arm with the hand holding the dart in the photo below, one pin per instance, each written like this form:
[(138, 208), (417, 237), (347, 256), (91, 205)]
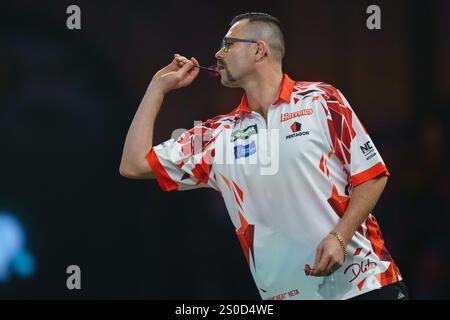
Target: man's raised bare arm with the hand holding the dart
[(179, 73)]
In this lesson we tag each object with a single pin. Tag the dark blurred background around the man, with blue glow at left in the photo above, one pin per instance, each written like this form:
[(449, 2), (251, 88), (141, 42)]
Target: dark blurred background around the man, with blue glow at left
[(67, 98)]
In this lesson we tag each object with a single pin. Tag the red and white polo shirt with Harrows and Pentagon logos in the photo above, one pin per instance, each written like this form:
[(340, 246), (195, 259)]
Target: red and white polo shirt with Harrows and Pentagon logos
[(286, 183)]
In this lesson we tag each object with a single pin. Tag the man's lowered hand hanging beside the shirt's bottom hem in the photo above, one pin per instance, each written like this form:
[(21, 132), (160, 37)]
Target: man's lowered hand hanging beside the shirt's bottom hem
[(329, 257)]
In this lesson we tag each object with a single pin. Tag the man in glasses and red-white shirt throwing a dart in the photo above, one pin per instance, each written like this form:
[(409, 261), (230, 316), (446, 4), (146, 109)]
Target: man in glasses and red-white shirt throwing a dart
[(302, 216)]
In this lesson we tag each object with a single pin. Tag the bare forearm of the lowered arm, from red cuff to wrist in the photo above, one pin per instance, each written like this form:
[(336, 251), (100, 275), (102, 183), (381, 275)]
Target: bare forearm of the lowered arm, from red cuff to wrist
[(363, 200)]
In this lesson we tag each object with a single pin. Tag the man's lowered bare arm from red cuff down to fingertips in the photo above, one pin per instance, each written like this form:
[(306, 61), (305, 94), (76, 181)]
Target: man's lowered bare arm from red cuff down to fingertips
[(330, 255)]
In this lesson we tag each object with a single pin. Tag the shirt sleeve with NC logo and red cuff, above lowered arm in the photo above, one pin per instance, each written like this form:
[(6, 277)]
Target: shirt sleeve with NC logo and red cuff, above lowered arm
[(349, 139)]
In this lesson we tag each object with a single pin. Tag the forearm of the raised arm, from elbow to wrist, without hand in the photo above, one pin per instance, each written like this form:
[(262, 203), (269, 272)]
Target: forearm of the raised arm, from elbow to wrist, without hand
[(139, 139)]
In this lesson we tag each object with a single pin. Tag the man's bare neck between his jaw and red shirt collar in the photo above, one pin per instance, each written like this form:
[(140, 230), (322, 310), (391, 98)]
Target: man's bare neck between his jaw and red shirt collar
[(263, 91)]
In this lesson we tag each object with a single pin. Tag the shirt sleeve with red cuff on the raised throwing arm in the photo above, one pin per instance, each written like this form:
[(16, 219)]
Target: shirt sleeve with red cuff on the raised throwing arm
[(186, 163)]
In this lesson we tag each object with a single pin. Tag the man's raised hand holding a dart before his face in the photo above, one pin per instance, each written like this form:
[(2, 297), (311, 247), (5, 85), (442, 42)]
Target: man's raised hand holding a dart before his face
[(179, 73)]
